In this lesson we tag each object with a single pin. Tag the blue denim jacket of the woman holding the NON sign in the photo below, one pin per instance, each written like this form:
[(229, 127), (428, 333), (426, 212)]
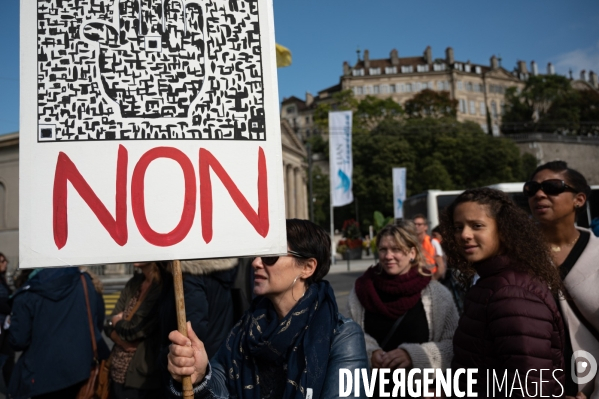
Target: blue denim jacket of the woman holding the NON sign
[(348, 351)]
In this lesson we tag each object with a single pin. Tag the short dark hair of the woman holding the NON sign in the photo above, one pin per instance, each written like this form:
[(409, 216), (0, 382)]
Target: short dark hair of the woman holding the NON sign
[(310, 239)]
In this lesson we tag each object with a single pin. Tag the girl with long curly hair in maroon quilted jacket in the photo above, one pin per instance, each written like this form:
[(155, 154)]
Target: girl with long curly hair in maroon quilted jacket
[(511, 325)]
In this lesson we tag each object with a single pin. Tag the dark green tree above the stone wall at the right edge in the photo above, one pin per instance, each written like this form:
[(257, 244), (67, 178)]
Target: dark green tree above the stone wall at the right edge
[(549, 104)]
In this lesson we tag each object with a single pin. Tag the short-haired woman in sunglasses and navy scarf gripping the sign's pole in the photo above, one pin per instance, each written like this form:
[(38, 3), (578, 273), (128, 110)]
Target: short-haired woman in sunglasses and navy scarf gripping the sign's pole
[(292, 341)]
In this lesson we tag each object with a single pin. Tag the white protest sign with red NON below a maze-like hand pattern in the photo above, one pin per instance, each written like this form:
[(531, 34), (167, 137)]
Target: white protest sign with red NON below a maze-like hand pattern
[(149, 131)]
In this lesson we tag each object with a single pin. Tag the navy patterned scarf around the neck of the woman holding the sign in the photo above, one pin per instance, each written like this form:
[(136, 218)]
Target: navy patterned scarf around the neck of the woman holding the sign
[(300, 344)]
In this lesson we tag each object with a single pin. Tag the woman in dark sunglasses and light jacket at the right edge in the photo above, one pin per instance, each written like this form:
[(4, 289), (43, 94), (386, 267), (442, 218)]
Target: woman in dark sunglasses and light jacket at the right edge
[(556, 194)]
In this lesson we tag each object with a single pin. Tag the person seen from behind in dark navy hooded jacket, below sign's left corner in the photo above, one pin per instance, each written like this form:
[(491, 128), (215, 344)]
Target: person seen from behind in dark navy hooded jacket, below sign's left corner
[(49, 324)]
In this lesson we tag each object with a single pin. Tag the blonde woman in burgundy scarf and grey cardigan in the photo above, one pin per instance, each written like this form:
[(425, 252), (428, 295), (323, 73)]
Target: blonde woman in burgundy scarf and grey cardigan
[(408, 319)]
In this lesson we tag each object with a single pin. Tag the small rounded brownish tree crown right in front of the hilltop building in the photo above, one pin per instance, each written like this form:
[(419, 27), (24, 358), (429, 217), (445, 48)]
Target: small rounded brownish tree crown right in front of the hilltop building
[(429, 103)]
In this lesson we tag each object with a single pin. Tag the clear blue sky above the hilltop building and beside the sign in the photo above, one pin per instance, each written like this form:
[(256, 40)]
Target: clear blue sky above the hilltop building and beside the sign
[(321, 34)]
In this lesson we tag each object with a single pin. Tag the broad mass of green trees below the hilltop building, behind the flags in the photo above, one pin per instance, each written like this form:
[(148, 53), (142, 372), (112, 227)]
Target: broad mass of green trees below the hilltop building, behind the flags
[(438, 152)]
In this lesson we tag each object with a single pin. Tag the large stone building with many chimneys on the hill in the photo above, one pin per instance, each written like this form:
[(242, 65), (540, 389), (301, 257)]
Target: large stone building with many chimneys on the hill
[(479, 89)]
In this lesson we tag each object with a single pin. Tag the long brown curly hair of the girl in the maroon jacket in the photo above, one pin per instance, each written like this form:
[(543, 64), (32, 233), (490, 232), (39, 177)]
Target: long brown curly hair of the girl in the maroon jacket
[(520, 238)]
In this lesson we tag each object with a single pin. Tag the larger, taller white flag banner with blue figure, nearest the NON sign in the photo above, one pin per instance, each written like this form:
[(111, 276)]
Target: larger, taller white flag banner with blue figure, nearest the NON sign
[(340, 156)]
